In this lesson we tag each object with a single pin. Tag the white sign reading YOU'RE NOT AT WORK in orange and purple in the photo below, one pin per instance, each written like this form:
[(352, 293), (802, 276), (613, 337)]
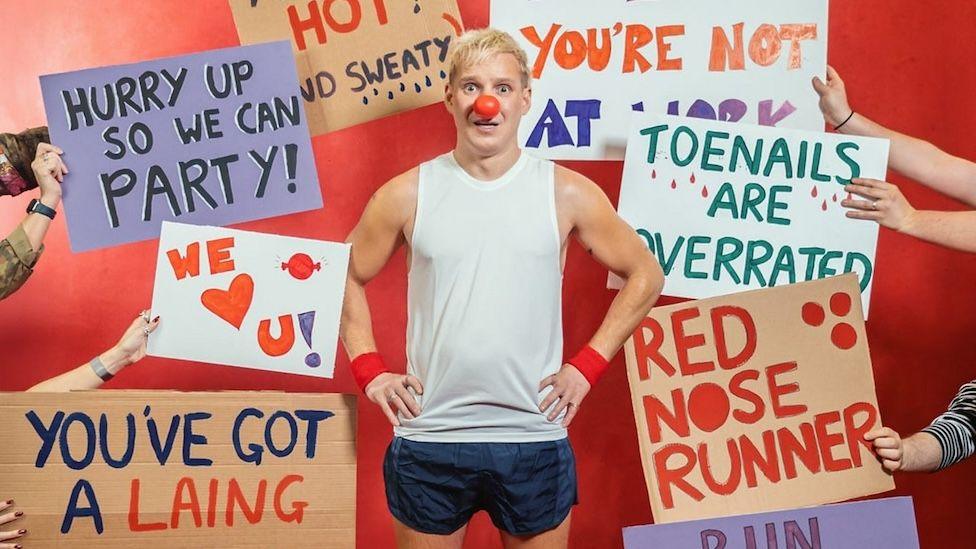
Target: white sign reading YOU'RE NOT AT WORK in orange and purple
[(596, 62)]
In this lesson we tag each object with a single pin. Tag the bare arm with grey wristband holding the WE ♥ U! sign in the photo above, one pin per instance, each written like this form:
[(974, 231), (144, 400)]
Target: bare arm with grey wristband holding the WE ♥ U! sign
[(130, 349)]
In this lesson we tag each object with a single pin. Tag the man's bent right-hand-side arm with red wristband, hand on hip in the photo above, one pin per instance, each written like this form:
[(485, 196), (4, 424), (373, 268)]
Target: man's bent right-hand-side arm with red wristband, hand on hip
[(586, 212)]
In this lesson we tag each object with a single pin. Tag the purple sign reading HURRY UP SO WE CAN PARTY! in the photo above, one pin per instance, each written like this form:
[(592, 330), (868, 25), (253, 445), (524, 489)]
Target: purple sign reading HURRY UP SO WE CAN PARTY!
[(211, 139)]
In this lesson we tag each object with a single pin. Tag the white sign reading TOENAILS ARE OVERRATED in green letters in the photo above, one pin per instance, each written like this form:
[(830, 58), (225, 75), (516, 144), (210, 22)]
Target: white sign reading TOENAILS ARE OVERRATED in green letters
[(729, 207)]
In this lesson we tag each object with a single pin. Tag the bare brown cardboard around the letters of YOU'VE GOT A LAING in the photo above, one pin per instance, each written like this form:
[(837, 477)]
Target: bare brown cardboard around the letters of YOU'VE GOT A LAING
[(328, 482)]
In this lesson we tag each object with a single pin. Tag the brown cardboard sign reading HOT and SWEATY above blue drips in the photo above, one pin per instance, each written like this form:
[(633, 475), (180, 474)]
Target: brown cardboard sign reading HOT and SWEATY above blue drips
[(358, 60)]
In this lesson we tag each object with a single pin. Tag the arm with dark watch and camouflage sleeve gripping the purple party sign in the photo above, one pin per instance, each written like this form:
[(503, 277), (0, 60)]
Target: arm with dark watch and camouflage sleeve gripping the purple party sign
[(20, 251)]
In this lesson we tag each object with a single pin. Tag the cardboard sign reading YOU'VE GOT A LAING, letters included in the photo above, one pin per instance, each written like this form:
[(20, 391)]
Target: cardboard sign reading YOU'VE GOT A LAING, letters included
[(163, 469)]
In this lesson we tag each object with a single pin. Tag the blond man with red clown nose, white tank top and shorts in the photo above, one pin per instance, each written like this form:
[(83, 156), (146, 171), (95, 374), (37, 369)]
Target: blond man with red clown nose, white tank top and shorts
[(480, 417)]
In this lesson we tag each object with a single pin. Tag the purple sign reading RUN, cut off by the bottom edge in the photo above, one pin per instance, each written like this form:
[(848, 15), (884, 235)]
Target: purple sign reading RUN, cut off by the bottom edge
[(888, 523)]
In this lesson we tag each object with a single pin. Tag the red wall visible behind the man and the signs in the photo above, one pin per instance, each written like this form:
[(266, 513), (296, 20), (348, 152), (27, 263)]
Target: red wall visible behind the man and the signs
[(907, 64)]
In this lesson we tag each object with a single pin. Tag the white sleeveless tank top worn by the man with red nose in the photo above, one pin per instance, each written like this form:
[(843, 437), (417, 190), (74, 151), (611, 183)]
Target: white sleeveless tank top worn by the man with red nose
[(484, 303)]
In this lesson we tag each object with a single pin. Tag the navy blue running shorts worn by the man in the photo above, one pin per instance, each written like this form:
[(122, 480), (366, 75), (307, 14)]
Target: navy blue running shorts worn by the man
[(436, 487)]
